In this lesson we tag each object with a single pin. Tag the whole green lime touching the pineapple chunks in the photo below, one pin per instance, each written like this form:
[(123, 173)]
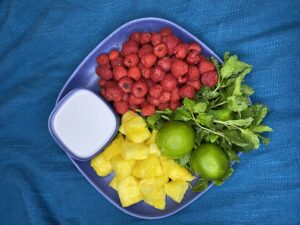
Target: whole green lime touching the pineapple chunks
[(175, 139)]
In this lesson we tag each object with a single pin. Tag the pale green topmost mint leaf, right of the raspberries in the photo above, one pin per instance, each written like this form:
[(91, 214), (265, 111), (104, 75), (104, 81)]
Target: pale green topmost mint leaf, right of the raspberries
[(233, 66)]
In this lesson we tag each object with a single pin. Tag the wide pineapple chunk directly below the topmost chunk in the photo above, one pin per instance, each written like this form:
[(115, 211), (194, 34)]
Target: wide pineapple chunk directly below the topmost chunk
[(134, 151)]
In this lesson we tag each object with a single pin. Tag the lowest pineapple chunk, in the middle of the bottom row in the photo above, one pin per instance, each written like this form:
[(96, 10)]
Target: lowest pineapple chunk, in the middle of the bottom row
[(153, 193)]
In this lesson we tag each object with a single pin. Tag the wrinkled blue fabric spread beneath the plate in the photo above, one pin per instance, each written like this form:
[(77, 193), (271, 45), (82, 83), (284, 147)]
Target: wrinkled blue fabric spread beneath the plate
[(42, 42)]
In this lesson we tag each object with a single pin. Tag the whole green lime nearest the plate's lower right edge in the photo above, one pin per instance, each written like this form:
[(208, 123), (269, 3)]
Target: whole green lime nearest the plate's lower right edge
[(210, 161)]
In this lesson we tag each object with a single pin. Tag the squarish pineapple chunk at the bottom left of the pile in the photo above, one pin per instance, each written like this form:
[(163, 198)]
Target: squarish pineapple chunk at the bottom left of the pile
[(129, 191)]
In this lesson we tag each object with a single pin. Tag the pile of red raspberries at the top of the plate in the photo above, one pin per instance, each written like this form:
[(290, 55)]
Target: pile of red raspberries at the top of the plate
[(153, 71)]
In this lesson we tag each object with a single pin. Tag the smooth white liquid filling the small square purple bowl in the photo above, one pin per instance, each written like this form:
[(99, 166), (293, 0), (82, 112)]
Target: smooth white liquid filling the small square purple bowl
[(84, 123)]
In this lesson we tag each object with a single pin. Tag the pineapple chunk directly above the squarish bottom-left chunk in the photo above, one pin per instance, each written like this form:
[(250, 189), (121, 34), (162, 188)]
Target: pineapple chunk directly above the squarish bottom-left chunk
[(122, 167)]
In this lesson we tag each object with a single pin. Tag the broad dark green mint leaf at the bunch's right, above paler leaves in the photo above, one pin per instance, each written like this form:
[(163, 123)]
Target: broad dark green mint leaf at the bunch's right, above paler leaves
[(257, 112)]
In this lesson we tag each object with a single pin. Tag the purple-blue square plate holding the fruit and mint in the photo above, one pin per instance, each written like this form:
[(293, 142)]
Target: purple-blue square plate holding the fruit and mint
[(85, 77)]
